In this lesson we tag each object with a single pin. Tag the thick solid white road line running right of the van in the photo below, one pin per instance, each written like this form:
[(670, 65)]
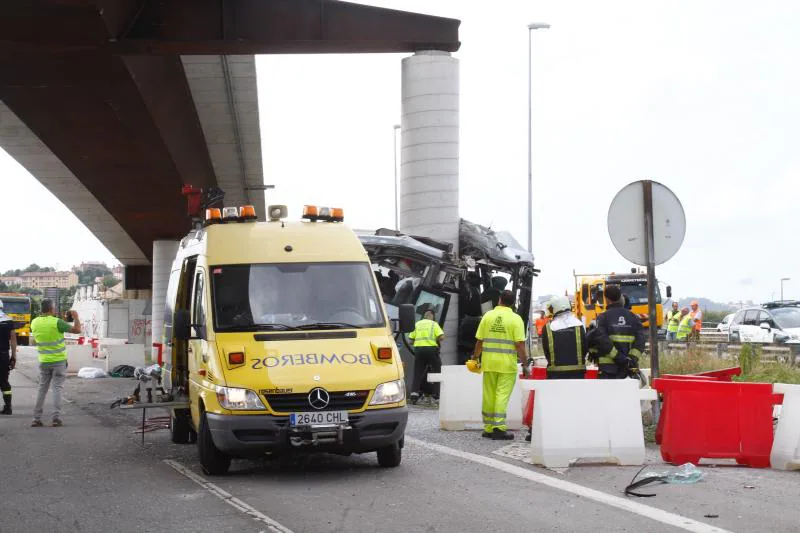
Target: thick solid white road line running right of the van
[(646, 511)]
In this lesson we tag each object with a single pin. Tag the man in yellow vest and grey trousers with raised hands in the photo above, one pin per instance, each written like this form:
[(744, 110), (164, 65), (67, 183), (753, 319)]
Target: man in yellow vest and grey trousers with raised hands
[(48, 331)]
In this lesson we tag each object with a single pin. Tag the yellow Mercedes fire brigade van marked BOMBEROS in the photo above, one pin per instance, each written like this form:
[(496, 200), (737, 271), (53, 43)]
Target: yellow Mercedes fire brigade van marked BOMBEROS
[(276, 333)]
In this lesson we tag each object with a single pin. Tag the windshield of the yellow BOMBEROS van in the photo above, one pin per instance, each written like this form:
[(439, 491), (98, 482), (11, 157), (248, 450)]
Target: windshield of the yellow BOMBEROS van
[(295, 296)]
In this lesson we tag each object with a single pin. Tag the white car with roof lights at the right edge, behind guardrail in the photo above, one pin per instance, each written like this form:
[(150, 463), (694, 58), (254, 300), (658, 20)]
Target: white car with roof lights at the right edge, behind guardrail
[(773, 322)]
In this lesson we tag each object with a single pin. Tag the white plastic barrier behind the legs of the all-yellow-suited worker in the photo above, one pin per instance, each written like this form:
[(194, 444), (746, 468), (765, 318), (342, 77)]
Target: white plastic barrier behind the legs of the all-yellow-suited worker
[(461, 398)]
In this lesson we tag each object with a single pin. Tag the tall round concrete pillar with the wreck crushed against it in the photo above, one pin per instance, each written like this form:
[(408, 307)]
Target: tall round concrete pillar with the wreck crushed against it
[(429, 159)]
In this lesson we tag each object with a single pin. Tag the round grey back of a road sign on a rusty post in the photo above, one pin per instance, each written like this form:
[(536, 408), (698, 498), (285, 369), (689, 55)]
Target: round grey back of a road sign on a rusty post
[(626, 223)]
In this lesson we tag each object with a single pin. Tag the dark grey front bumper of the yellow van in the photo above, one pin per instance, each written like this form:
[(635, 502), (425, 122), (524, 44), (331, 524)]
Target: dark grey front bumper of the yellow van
[(253, 435)]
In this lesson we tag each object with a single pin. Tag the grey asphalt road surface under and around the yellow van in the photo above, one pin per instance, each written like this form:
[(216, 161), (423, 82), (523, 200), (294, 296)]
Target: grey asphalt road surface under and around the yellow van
[(92, 475)]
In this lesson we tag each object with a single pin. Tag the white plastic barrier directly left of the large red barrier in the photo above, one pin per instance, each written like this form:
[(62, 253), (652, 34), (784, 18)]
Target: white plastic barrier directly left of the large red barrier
[(595, 419)]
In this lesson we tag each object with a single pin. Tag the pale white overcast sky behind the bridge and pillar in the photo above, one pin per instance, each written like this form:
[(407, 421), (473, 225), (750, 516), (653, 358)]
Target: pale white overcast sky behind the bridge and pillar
[(703, 97)]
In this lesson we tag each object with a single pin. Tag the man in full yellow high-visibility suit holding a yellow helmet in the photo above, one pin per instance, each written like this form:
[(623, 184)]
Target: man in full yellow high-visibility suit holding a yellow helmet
[(500, 345)]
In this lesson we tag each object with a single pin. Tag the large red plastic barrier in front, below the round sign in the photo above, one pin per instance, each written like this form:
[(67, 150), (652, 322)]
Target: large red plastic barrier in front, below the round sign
[(716, 420)]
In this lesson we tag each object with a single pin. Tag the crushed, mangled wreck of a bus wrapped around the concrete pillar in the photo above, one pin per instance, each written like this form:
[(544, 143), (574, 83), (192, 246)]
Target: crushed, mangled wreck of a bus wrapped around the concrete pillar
[(428, 273)]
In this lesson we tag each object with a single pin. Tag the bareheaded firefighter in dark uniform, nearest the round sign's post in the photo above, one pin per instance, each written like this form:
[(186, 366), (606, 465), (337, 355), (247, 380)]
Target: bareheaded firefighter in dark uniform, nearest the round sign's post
[(618, 340)]
